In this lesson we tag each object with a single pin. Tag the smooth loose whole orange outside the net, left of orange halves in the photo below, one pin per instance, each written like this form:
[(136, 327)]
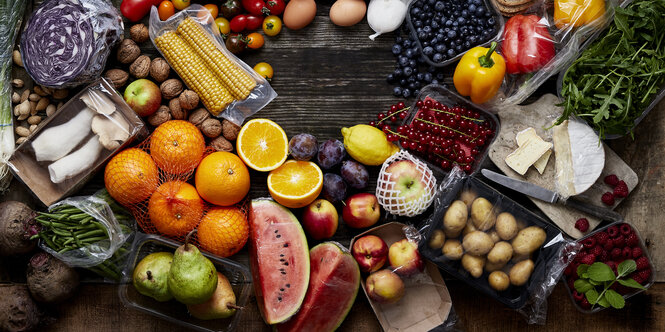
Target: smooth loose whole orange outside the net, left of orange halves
[(222, 179)]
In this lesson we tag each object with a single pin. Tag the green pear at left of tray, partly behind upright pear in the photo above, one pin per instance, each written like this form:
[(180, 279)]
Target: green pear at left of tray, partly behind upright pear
[(151, 274)]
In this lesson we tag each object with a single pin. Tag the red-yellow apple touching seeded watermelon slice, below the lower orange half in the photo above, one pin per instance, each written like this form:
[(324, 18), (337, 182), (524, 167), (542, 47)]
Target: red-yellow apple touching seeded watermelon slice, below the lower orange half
[(320, 219)]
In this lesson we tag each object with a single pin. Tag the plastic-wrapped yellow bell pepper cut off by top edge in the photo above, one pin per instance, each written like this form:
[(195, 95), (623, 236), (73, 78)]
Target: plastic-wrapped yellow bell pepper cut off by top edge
[(577, 12)]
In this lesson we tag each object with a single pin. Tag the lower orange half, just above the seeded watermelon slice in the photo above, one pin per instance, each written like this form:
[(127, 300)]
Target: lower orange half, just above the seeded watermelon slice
[(296, 183)]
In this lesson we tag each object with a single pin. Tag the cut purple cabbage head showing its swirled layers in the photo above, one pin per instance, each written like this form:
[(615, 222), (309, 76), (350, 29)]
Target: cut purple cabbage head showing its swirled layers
[(66, 42)]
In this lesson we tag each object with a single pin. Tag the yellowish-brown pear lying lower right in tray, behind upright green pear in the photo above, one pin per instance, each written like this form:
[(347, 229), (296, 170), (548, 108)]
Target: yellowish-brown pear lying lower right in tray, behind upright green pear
[(222, 304)]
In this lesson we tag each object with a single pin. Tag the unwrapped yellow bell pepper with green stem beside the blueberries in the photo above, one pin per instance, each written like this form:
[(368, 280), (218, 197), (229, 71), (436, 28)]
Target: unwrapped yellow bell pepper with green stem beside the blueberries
[(479, 73)]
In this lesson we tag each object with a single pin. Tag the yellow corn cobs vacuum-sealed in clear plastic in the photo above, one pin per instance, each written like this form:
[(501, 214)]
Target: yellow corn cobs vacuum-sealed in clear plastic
[(194, 32)]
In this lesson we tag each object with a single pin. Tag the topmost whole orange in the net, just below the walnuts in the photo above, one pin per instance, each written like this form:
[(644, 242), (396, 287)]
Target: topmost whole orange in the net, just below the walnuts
[(177, 146)]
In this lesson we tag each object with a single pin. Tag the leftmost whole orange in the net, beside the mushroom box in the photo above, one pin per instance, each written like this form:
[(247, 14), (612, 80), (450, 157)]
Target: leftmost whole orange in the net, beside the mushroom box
[(131, 176)]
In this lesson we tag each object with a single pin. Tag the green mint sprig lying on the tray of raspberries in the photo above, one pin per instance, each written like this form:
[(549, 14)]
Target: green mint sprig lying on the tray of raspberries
[(601, 275)]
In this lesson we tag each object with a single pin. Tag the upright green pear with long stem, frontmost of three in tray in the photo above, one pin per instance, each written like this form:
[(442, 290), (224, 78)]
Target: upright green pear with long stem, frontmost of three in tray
[(192, 277)]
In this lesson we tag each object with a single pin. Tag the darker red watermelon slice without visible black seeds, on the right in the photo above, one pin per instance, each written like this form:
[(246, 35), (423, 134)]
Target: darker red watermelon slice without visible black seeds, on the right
[(333, 286)]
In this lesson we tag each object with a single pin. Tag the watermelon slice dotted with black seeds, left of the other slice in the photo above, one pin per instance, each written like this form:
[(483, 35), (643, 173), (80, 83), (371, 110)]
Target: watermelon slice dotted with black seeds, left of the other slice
[(279, 259)]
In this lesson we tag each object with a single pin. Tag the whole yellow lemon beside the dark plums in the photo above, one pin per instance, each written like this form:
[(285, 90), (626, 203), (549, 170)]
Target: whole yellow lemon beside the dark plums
[(368, 145)]
